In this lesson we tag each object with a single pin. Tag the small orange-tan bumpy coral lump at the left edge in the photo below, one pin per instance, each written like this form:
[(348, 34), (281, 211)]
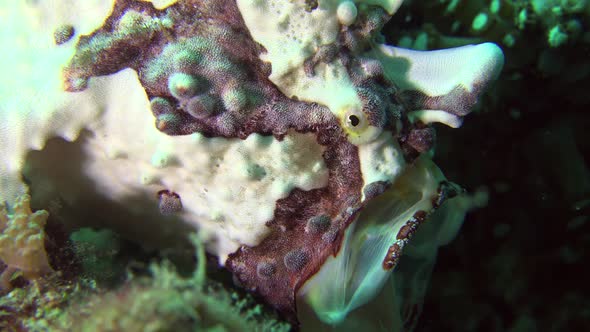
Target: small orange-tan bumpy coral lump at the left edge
[(22, 242)]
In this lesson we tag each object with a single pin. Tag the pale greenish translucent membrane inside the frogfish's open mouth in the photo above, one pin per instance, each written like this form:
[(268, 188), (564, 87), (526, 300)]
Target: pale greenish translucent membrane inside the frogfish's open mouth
[(373, 243)]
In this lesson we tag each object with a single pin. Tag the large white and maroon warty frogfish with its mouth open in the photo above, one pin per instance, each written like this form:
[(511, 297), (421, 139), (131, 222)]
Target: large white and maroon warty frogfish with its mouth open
[(273, 127)]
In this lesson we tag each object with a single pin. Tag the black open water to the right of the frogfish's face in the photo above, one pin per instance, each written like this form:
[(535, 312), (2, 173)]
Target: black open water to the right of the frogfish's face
[(518, 264)]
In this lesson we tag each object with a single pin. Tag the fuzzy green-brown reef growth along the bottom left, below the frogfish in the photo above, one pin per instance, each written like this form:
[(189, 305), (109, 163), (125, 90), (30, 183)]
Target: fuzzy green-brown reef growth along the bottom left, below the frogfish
[(163, 300)]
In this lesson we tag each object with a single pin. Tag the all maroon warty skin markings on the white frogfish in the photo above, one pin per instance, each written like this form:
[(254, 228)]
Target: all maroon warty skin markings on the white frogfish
[(202, 71)]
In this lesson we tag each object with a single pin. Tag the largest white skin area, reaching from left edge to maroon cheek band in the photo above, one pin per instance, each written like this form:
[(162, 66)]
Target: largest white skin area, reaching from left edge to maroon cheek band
[(228, 187)]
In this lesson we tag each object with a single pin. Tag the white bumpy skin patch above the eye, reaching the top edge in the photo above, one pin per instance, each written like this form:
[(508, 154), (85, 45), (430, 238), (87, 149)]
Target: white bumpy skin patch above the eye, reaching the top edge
[(282, 27)]
